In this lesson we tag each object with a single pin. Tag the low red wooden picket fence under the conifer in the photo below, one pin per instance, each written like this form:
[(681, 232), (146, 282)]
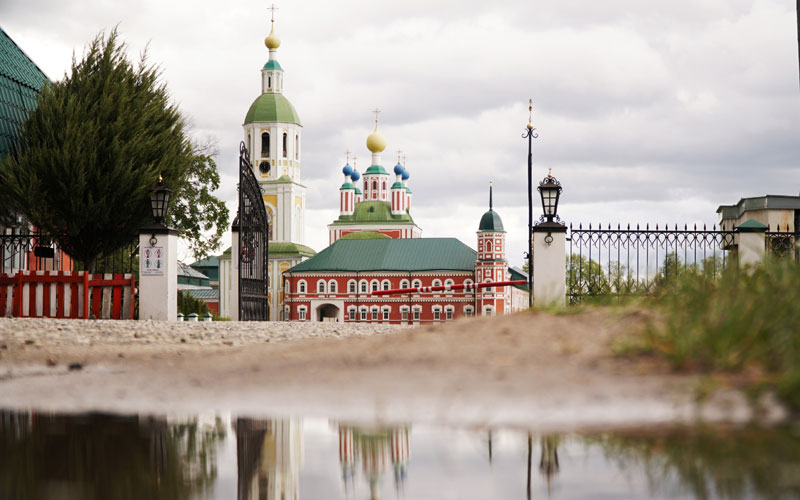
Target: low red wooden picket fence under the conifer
[(65, 294)]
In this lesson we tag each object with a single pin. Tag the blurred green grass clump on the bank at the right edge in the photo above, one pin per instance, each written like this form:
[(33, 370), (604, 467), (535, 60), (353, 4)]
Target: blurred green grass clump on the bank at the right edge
[(744, 322)]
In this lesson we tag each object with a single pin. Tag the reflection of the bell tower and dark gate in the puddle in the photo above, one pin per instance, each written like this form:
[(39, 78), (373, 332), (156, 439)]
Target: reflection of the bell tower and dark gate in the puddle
[(269, 455)]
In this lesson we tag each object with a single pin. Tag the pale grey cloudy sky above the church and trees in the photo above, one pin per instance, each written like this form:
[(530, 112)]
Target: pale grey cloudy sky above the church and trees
[(654, 111)]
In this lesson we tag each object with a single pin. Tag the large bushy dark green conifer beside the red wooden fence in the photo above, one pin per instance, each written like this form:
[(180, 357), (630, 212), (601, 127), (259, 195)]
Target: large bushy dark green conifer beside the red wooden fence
[(93, 149)]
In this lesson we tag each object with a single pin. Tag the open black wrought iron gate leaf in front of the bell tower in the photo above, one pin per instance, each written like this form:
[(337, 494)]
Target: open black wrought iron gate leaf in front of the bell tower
[(253, 245)]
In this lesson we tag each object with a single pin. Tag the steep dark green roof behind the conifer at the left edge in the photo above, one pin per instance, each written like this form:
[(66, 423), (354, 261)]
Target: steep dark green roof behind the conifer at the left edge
[(20, 83)]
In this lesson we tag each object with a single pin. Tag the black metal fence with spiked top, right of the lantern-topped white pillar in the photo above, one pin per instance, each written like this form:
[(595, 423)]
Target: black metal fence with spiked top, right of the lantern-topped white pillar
[(626, 261)]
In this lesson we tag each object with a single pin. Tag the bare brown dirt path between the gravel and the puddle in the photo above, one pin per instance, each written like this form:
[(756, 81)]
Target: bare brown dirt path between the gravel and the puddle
[(534, 370)]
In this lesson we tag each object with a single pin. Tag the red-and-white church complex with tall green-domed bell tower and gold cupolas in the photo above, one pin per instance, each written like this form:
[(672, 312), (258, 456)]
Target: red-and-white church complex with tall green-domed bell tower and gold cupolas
[(374, 242)]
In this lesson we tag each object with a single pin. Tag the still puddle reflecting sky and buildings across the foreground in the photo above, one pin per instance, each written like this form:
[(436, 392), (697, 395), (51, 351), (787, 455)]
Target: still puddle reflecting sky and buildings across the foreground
[(103, 456)]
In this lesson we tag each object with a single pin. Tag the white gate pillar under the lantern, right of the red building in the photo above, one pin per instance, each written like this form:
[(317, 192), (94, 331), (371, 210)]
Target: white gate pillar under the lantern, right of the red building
[(549, 264)]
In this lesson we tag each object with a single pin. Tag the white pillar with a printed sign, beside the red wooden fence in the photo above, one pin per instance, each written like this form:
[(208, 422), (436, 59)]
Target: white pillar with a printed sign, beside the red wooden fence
[(158, 273)]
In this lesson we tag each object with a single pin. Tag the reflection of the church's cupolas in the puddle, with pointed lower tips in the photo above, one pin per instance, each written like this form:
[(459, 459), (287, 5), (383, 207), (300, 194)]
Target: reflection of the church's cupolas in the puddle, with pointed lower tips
[(374, 450)]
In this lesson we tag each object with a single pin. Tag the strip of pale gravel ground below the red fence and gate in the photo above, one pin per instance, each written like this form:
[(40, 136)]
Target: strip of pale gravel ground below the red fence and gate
[(64, 332)]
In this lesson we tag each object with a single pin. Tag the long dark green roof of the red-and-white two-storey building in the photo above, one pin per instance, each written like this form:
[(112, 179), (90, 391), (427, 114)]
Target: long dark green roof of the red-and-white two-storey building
[(415, 255)]
